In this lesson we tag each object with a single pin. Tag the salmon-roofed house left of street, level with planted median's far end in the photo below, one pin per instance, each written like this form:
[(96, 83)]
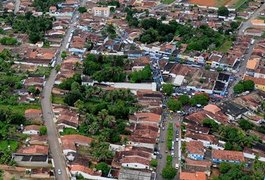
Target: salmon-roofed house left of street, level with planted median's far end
[(145, 118)]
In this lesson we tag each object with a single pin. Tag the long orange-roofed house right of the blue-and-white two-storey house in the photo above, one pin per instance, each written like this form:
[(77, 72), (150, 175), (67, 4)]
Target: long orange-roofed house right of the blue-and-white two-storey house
[(219, 156)]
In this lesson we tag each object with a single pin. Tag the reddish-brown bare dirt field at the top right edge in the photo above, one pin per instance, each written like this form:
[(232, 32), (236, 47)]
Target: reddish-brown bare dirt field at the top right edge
[(218, 3)]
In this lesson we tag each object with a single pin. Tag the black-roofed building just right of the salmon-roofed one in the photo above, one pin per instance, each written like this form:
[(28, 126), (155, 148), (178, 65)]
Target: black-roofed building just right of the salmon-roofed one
[(232, 110)]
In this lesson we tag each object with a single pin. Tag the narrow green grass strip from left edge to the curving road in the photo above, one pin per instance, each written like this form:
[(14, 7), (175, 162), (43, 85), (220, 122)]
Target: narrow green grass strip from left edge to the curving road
[(20, 108)]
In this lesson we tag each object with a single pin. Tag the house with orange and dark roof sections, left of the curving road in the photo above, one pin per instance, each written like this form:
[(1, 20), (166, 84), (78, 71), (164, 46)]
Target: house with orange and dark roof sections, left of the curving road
[(32, 156)]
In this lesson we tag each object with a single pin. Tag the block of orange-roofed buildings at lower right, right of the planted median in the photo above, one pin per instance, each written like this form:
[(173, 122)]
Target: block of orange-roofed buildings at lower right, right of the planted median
[(205, 150)]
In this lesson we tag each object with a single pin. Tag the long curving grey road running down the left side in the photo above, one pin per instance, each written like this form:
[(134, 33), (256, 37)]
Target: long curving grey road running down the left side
[(55, 148)]
